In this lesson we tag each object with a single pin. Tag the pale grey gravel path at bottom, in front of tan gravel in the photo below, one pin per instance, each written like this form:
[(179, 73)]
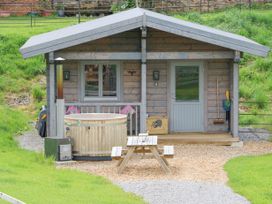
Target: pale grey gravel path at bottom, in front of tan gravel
[(175, 192)]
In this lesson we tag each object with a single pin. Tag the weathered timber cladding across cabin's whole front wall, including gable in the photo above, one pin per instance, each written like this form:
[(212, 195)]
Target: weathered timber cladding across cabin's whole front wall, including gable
[(130, 75)]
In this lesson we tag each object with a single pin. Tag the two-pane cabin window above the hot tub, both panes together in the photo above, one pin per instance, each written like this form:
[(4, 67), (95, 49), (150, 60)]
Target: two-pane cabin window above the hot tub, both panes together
[(100, 81)]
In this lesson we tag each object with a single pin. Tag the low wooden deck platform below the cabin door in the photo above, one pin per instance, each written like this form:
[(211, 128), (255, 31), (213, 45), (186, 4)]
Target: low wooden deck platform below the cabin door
[(224, 139)]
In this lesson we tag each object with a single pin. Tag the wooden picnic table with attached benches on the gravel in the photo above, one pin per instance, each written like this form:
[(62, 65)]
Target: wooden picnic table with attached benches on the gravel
[(142, 144)]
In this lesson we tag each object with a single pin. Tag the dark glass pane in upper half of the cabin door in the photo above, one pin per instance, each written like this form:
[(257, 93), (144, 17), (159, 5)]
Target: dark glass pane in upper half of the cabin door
[(187, 83)]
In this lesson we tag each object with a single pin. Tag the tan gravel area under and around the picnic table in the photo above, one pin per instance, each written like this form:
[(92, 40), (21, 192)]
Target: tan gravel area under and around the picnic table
[(191, 162)]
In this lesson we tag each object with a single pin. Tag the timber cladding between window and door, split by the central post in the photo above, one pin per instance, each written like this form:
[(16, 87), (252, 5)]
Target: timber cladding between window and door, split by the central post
[(156, 95)]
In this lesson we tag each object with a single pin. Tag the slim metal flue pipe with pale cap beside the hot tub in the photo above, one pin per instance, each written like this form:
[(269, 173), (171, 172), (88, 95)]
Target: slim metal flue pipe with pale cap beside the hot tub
[(60, 100)]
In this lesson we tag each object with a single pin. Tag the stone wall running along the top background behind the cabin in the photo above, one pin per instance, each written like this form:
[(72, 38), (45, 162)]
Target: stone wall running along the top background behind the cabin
[(103, 7)]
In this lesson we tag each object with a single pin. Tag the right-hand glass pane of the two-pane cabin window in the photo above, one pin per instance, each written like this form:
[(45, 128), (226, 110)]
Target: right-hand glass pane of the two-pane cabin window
[(109, 80)]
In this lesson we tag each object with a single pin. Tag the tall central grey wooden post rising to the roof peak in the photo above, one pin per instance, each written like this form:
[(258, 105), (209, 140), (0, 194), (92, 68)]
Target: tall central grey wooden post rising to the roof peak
[(143, 79)]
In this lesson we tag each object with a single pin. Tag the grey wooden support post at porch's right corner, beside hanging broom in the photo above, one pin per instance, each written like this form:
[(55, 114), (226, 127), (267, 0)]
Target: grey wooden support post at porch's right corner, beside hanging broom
[(235, 96)]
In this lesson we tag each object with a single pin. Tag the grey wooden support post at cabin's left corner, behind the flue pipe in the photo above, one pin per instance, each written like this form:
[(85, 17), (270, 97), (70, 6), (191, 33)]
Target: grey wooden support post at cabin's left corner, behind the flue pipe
[(51, 93)]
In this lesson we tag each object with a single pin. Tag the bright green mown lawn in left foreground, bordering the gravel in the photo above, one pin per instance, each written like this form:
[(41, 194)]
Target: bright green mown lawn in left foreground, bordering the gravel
[(31, 178)]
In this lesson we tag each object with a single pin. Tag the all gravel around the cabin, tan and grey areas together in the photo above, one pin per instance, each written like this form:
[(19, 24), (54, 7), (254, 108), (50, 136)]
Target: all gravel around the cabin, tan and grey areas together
[(197, 174)]
